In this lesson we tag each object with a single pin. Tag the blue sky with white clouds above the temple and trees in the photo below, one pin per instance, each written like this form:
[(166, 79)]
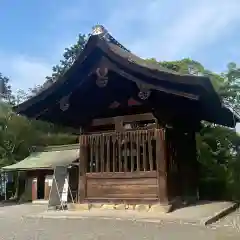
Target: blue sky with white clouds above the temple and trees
[(35, 33)]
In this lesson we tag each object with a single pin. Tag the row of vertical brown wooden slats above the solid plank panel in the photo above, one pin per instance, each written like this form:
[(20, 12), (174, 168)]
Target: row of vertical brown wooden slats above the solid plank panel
[(129, 151)]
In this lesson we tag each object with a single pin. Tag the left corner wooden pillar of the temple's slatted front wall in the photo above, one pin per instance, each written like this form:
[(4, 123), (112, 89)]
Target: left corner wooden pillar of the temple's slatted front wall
[(82, 169)]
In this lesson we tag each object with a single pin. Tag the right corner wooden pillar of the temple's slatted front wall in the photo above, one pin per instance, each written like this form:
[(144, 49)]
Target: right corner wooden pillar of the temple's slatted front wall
[(161, 159)]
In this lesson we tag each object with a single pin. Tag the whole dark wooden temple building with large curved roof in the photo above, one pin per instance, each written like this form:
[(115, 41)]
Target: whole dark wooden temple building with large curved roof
[(136, 120)]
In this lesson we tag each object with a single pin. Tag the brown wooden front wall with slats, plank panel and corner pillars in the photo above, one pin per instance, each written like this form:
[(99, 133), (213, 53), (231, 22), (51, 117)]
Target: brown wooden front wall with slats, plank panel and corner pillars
[(124, 166)]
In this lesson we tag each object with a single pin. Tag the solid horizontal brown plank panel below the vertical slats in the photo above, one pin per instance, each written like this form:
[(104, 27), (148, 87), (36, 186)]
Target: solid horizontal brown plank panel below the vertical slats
[(118, 186)]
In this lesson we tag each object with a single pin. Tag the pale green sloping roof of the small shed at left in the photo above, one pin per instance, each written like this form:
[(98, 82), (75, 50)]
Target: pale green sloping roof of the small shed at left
[(48, 158)]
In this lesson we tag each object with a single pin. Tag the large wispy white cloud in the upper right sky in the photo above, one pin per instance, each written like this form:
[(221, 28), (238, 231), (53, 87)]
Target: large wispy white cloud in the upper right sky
[(171, 31)]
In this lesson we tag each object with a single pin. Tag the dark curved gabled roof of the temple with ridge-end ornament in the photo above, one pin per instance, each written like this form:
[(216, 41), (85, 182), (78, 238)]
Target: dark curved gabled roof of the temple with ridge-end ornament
[(101, 45)]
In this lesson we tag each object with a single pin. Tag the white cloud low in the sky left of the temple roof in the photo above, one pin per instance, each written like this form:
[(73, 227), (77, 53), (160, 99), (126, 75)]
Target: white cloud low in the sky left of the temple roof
[(27, 71)]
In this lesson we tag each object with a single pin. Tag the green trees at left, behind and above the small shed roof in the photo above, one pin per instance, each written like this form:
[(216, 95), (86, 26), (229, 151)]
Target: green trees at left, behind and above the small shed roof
[(18, 134)]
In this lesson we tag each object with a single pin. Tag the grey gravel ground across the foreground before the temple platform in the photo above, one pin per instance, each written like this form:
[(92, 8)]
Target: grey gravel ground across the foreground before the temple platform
[(14, 226)]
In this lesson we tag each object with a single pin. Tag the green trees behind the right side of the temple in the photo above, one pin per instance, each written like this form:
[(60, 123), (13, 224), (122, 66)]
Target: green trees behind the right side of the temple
[(219, 147)]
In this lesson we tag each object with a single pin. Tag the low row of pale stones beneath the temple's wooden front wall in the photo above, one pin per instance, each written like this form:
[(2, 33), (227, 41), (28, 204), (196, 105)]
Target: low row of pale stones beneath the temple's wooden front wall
[(137, 207)]
